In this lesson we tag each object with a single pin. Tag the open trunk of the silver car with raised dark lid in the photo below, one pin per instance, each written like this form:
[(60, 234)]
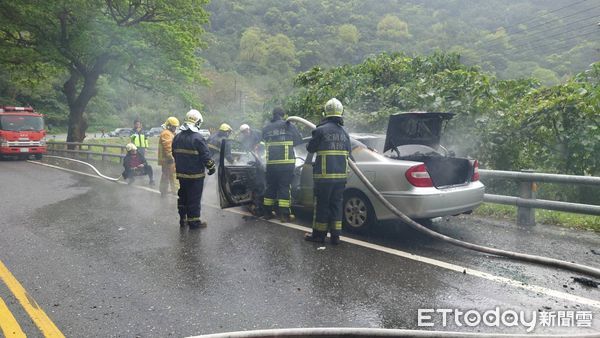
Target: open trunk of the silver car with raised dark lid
[(420, 134)]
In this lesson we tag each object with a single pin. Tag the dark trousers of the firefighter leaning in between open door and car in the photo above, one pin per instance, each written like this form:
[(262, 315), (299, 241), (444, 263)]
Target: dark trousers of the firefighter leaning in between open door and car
[(278, 192)]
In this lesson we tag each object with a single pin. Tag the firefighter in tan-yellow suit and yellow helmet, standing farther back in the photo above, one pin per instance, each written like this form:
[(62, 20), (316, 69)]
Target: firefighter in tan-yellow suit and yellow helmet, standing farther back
[(165, 156)]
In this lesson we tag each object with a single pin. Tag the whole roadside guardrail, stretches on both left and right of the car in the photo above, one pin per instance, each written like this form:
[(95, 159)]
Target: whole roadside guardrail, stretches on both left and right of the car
[(526, 203)]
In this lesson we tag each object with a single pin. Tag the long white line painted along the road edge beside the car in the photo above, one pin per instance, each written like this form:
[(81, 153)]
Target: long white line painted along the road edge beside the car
[(400, 253)]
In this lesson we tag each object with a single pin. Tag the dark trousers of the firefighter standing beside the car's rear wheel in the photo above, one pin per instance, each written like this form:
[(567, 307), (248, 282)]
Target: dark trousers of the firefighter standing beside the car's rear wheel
[(328, 199)]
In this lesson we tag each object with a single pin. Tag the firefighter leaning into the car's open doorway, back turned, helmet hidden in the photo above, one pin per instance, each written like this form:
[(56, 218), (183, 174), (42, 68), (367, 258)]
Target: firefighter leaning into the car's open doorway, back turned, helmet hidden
[(280, 137)]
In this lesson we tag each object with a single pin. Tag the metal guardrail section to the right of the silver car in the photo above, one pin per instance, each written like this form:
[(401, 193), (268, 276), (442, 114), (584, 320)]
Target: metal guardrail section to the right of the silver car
[(526, 203)]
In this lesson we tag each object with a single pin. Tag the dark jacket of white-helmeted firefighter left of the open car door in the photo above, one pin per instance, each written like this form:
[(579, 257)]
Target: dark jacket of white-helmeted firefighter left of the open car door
[(191, 155)]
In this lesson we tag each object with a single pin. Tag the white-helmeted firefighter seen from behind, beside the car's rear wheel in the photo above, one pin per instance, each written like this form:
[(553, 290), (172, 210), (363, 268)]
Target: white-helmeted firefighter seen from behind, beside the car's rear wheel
[(331, 144)]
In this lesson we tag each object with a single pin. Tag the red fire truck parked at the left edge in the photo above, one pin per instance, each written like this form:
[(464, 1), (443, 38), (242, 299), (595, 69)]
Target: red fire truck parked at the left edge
[(22, 132)]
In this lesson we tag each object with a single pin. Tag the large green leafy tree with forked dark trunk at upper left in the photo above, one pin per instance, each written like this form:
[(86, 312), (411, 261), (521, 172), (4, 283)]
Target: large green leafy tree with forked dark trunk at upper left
[(149, 43)]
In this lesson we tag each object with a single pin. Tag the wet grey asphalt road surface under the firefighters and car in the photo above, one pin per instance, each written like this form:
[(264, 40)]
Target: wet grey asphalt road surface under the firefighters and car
[(105, 259)]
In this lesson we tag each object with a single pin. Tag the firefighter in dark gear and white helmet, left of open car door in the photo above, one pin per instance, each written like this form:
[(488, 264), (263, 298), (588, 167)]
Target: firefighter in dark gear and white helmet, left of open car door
[(192, 157)]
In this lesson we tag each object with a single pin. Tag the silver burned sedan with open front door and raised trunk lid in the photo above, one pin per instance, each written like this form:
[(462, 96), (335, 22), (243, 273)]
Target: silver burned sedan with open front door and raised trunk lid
[(407, 165)]
